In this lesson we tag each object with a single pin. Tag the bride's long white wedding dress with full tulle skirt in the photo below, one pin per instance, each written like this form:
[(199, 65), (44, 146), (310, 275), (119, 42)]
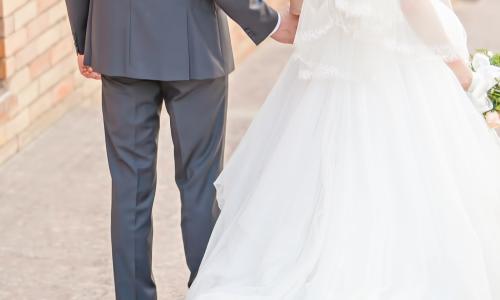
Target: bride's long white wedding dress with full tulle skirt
[(367, 174)]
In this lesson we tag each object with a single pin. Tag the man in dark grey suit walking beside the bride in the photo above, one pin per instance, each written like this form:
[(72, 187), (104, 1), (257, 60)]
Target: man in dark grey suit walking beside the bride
[(151, 53)]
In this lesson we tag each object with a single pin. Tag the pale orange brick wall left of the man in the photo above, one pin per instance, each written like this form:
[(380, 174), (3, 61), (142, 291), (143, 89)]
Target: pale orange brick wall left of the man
[(37, 70)]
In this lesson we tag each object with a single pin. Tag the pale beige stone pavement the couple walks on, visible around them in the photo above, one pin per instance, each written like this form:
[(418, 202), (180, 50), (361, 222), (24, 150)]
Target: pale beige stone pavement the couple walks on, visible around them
[(54, 195)]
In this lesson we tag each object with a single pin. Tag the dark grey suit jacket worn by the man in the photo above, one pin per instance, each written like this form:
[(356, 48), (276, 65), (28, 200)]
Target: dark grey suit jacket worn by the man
[(163, 39)]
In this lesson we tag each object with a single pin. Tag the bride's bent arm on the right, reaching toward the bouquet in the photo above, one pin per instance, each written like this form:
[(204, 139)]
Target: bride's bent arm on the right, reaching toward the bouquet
[(424, 20)]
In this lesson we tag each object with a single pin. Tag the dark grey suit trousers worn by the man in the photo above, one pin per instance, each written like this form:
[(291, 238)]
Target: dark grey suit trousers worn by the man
[(131, 109)]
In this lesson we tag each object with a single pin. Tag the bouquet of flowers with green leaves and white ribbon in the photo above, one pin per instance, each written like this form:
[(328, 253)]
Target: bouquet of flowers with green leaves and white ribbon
[(485, 87)]
